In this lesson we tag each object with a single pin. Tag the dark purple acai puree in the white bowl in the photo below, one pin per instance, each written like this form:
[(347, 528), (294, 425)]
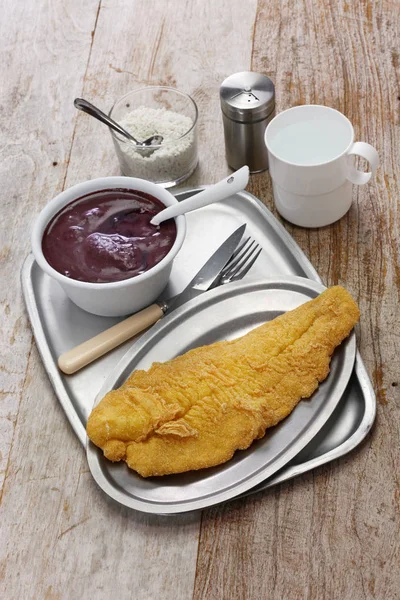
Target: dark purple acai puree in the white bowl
[(107, 236)]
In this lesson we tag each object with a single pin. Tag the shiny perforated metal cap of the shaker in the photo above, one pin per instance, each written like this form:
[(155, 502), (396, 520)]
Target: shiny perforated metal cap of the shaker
[(247, 97)]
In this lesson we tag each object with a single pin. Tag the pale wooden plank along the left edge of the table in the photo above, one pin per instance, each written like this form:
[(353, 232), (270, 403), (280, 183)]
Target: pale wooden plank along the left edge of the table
[(44, 53)]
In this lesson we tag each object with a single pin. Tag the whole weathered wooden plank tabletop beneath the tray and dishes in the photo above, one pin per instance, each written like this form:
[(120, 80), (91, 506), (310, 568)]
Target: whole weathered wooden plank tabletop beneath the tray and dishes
[(330, 534)]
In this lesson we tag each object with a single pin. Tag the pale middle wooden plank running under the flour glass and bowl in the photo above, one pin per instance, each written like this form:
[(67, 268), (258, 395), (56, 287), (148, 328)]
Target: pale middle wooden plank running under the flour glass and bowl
[(79, 543)]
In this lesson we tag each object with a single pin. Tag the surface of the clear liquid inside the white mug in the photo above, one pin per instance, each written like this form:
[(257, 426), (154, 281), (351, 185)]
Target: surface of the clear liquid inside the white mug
[(311, 142)]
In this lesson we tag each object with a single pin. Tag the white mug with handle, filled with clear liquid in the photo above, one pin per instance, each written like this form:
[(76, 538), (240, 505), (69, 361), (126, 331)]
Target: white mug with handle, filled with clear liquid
[(310, 151)]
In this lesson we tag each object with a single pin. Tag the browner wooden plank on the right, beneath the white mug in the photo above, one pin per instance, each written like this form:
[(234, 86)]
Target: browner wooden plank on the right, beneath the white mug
[(332, 534)]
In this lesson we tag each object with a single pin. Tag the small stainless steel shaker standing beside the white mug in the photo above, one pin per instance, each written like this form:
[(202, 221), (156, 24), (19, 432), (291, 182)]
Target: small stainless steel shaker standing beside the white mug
[(248, 105)]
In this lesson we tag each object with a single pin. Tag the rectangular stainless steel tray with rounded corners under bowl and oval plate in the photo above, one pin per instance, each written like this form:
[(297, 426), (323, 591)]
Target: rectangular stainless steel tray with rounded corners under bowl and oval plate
[(59, 325)]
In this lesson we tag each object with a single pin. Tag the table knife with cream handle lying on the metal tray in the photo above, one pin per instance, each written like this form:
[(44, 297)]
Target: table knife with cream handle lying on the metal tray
[(75, 359)]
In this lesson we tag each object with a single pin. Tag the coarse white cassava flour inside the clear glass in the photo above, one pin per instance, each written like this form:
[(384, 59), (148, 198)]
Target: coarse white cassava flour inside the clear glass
[(176, 158)]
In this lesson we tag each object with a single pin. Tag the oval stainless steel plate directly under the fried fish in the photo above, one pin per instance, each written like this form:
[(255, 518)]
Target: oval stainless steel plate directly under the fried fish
[(224, 313)]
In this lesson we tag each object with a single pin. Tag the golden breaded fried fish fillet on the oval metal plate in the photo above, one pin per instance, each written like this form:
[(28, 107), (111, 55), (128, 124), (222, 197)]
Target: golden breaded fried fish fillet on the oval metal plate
[(196, 410)]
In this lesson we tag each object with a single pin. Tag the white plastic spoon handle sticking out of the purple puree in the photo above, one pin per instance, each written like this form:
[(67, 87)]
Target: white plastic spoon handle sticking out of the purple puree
[(221, 190)]
